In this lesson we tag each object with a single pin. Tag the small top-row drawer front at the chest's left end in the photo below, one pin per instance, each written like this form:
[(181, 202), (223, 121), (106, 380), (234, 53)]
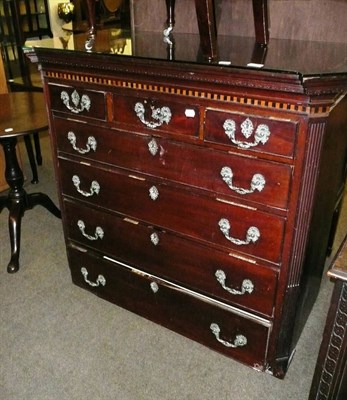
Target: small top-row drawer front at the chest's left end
[(77, 101)]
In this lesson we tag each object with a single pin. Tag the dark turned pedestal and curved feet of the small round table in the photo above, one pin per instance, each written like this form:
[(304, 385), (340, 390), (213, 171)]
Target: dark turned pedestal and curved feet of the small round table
[(18, 201)]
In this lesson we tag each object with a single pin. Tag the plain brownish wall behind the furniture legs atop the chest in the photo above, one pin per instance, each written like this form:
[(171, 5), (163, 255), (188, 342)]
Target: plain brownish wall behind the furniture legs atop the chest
[(319, 20)]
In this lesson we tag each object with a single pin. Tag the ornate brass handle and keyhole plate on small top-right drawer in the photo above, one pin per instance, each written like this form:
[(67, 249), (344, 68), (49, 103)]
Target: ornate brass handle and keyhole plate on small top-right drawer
[(261, 135)]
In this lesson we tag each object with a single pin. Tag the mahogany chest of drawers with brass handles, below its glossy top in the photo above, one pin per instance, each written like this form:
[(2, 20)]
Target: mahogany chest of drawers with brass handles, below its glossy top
[(198, 196)]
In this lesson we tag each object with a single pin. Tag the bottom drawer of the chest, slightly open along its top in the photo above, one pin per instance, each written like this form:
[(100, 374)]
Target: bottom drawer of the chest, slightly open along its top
[(223, 328)]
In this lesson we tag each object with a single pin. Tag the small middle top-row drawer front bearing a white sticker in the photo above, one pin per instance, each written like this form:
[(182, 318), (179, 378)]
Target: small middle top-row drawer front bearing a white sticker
[(156, 114)]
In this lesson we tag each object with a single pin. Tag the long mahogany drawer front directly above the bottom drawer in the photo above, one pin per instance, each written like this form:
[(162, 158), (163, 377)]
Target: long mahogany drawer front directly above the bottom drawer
[(198, 267)]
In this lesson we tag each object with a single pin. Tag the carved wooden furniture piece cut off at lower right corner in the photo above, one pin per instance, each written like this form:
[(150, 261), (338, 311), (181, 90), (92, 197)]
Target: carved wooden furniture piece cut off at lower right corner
[(330, 378)]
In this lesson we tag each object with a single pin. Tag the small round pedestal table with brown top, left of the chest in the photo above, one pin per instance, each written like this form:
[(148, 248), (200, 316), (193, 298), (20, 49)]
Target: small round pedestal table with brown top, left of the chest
[(21, 114)]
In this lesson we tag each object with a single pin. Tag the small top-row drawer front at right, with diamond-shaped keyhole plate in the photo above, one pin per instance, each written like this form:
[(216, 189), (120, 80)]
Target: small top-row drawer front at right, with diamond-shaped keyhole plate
[(251, 133)]
